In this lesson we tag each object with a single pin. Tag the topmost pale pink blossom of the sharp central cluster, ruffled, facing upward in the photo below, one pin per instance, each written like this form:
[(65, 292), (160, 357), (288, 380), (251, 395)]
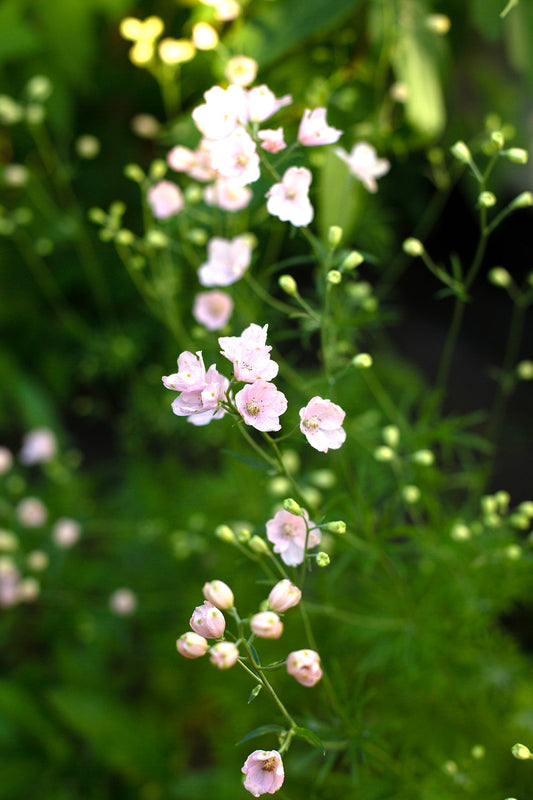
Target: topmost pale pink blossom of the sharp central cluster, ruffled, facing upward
[(249, 354)]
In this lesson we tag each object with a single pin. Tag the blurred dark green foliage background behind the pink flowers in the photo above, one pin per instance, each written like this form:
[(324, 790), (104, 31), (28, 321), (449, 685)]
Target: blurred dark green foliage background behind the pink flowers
[(94, 704)]
